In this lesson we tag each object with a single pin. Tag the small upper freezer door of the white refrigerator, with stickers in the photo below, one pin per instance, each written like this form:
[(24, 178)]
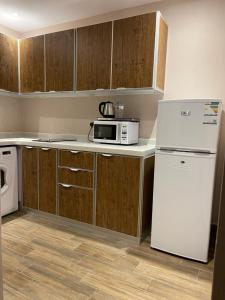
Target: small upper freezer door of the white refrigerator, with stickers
[(188, 124)]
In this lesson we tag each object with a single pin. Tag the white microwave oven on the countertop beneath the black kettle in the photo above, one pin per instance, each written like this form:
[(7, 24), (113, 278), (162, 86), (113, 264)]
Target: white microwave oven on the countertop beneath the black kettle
[(116, 132)]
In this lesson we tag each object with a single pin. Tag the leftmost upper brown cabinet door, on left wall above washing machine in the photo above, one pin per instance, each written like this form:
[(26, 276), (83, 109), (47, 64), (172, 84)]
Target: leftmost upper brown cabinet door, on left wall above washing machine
[(8, 63)]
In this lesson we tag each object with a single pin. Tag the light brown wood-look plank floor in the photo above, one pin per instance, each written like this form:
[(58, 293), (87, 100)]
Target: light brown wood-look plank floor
[(46, 259)]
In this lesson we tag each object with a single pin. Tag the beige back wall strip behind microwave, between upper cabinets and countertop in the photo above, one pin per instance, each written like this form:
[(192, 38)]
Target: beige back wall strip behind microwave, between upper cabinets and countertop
[(73, 115)]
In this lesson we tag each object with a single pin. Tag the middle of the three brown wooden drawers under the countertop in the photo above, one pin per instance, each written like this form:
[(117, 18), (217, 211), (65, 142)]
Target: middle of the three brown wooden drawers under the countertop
[(75, 177)]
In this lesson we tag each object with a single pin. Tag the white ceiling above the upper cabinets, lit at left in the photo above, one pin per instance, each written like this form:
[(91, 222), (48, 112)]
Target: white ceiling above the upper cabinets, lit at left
[(28, 15)]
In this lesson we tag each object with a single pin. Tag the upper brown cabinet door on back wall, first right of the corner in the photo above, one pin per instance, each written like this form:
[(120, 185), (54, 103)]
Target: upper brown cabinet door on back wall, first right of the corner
[(32, 64)]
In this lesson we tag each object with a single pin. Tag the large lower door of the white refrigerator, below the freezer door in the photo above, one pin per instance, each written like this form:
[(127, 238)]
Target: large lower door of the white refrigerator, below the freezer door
[(182, 203)]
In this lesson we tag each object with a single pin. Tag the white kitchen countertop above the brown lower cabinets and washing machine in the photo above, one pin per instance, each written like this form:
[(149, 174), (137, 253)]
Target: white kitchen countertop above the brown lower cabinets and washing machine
[(143, 149)]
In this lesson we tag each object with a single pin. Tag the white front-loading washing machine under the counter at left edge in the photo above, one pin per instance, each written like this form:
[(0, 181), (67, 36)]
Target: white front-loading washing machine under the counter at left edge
[(9, 180)]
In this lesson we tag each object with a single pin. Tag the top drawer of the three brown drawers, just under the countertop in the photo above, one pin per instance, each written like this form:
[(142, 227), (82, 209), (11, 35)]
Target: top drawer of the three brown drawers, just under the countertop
[(76, 159)]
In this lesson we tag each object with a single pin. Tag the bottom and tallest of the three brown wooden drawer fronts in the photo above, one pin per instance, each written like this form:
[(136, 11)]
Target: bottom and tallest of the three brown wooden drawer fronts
[(76, 203)]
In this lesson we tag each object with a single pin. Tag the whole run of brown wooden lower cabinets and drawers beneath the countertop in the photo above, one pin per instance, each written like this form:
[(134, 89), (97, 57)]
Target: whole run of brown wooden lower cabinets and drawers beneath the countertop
[(123, 188)]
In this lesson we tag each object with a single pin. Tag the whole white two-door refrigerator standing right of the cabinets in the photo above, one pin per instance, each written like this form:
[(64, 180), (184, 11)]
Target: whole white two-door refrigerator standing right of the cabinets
[(185, 160)]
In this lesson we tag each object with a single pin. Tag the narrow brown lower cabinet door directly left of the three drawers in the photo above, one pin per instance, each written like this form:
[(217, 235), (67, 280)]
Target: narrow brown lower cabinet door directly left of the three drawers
[(47, 180)]
